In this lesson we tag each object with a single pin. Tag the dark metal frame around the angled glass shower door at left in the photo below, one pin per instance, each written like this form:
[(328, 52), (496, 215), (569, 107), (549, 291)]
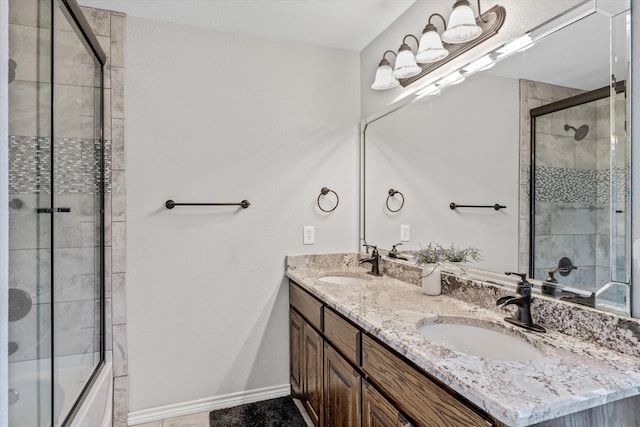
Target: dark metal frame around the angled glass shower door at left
[(75, 13)]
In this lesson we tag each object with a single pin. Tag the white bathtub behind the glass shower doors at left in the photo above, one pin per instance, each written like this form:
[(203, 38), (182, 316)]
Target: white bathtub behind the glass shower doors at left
[(30, 383)]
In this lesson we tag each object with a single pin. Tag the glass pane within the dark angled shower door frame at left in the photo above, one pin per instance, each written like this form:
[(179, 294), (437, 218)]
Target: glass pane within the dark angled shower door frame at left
[(76, 218)]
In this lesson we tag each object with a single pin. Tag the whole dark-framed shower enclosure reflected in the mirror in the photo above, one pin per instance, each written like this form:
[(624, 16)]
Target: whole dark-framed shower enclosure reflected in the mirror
[(580, 198)]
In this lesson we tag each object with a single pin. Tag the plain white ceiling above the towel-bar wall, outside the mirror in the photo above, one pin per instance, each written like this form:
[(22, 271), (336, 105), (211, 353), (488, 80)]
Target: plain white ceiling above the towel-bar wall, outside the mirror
[(342, 24)]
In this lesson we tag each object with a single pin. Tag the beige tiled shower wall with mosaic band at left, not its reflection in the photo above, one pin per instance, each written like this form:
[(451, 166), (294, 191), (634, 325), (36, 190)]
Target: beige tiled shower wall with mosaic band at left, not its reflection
[(27, 92)]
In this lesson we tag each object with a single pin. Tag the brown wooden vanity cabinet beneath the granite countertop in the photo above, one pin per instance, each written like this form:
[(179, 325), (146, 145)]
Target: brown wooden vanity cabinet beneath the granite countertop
[(334, 367)]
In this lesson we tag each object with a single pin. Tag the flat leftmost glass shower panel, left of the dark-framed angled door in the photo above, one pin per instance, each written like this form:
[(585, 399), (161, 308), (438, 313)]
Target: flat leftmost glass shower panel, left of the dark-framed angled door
[(31, 382)]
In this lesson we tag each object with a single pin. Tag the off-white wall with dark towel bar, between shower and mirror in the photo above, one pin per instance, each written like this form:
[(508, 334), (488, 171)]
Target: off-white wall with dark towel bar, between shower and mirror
[(218, 117)]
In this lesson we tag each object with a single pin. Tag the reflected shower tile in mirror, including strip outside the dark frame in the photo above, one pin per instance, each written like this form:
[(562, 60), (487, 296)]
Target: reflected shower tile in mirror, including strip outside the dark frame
[(572, 187)]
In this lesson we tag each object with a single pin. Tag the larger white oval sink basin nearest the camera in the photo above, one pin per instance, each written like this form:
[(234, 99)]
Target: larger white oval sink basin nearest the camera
[(476, 340)]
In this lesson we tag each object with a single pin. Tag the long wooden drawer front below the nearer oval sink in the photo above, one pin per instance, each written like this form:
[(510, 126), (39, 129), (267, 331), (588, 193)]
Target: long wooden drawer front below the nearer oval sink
[(416, 395)]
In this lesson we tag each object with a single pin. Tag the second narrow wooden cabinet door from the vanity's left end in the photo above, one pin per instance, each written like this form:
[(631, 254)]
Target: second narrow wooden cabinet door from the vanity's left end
[(312, 373)]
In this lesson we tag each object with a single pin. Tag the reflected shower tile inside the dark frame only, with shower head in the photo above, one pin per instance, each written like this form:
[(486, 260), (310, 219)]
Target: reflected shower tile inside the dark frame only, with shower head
[(569, 198)]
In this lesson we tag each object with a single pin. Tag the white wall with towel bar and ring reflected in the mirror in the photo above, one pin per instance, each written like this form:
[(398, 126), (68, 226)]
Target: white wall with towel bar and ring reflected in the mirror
[(442, 150)]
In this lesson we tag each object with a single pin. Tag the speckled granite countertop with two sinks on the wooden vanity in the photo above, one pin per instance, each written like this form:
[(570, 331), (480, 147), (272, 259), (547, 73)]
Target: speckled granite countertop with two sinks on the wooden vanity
[(573, 375)]
